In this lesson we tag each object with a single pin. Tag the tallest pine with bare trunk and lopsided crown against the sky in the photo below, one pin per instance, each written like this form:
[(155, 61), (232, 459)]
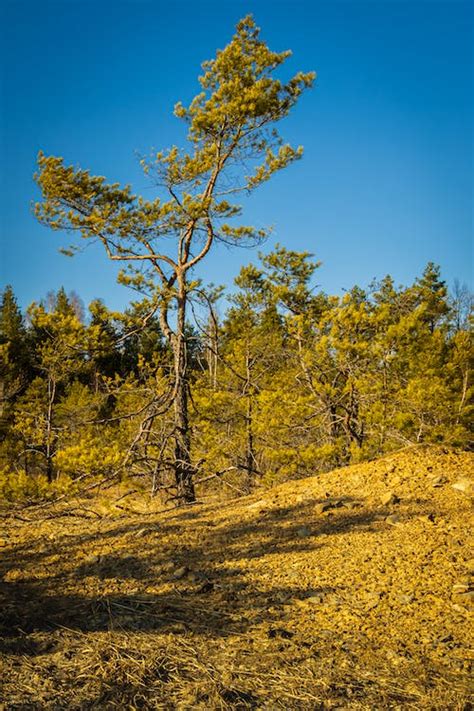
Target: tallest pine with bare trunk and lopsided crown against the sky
[(230, 124)]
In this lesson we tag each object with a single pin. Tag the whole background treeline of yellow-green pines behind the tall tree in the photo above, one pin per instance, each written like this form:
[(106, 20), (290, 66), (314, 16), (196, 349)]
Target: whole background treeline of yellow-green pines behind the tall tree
[(288, 382)]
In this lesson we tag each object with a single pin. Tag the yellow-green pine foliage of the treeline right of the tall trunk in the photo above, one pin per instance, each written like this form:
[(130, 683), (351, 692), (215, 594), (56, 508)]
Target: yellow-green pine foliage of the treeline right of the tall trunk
[(346, 379)]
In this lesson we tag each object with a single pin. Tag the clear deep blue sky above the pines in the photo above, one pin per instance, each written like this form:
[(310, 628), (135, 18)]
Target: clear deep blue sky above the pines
[(386, 181)]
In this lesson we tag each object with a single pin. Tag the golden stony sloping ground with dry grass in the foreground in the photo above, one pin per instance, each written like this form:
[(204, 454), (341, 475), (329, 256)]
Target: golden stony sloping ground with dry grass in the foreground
[(350, 590)]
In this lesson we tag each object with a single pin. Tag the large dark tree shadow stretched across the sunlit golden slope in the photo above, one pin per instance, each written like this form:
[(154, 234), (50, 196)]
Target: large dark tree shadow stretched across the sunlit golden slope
[(206, 587)]
